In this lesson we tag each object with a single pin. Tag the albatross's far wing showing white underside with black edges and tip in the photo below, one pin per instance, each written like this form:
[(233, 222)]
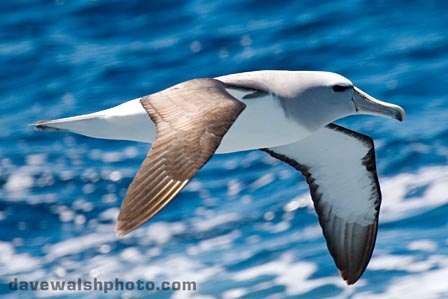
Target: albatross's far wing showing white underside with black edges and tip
[(339, 167)]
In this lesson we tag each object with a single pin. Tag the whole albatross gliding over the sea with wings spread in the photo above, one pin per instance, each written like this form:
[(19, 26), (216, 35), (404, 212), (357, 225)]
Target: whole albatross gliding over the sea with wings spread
[(287, 114)]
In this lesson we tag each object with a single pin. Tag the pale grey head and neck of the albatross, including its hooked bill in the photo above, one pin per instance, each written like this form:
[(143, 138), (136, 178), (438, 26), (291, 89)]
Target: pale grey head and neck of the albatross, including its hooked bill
[(314, 98)]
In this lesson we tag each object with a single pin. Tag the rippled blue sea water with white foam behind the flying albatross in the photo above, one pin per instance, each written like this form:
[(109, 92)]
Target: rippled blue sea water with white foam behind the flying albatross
[(245, 226)]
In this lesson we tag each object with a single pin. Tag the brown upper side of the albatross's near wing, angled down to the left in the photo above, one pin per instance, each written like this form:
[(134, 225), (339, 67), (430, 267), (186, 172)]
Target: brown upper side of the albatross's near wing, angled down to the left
[(191, 120)]
